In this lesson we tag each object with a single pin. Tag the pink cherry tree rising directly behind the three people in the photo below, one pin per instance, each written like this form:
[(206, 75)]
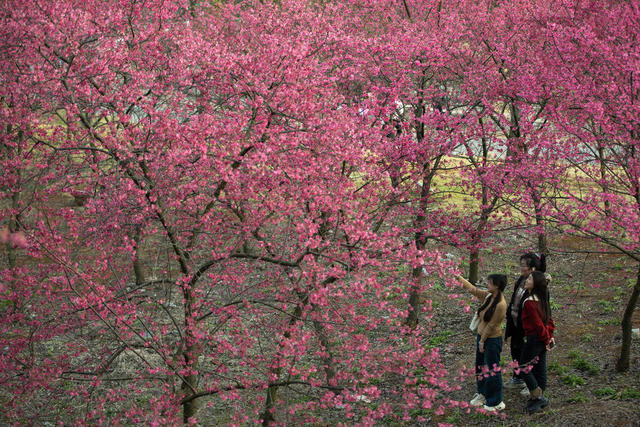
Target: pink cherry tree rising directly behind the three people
[(515, 100)]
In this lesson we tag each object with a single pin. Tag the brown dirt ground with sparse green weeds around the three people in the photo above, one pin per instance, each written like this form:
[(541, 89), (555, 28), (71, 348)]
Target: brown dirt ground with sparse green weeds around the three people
[(588, 293)]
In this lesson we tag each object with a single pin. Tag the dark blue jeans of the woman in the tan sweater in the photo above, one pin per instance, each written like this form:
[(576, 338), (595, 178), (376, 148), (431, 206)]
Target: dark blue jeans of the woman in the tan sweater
[(488, 363)]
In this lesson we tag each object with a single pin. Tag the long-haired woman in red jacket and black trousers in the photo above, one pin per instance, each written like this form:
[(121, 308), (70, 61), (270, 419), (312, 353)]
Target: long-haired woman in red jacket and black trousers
[(538, 339)]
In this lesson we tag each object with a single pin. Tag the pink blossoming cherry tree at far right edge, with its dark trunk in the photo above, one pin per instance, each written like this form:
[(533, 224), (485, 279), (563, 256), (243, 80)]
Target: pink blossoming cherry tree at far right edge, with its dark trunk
[(593, 56)]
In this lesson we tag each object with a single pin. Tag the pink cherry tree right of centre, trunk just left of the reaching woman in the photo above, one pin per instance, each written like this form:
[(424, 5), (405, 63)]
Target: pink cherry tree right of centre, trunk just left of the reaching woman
[(404, 90)]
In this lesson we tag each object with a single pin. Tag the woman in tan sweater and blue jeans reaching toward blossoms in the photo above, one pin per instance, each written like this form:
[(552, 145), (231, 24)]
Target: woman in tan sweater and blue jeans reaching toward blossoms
[(489, 341)]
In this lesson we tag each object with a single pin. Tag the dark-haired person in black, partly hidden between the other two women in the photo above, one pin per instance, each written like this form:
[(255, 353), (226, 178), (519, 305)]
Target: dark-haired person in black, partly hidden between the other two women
[(514, 334)]
